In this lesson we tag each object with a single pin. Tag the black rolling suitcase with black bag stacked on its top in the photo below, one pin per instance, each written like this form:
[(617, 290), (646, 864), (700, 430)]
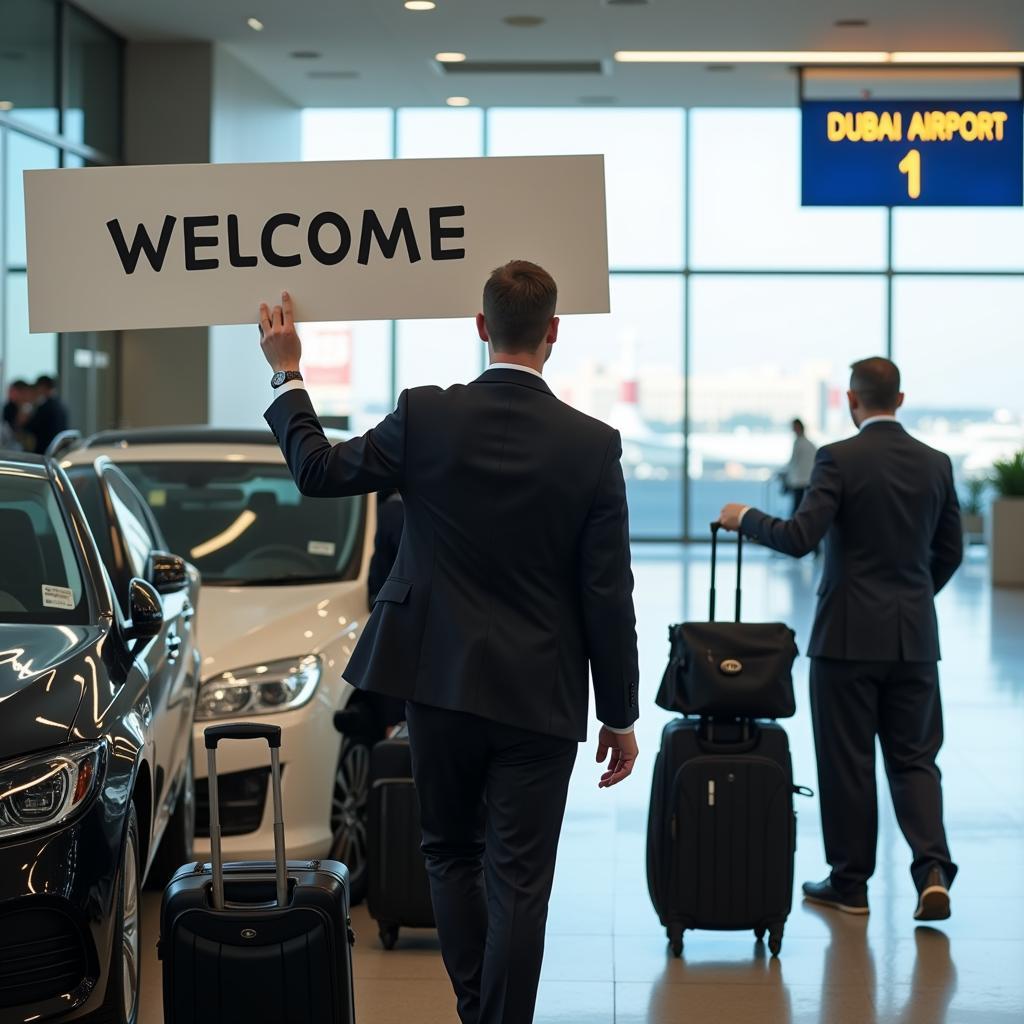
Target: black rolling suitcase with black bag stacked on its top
[(721, 833)]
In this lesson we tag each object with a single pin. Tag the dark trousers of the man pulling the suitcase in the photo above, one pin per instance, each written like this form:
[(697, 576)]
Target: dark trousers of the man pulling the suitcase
[(899, 702)]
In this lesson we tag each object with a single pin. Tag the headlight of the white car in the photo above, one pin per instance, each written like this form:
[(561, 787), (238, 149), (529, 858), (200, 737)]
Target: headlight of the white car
[(260, 690)]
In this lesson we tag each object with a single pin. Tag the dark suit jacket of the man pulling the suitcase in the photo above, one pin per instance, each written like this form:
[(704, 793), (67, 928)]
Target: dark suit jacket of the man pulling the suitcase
[(886, 506)]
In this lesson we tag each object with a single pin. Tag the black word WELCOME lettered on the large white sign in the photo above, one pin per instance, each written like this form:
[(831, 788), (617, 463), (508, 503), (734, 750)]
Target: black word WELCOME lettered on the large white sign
[(284, 241)]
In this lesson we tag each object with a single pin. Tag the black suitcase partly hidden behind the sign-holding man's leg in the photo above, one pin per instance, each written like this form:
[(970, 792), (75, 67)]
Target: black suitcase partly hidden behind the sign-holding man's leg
[(400, 892)]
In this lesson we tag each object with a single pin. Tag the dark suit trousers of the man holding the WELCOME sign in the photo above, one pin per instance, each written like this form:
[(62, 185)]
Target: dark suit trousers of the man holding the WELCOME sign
[(492, 800)]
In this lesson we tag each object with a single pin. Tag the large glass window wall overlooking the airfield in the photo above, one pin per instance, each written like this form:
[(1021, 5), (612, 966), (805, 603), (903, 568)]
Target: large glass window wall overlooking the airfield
[(734, 309)]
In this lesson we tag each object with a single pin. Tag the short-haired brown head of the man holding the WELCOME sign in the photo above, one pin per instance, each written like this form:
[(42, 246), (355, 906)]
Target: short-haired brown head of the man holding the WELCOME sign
[(520, 301)]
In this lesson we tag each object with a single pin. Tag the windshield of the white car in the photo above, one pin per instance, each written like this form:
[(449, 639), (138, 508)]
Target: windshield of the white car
[(246, 524)]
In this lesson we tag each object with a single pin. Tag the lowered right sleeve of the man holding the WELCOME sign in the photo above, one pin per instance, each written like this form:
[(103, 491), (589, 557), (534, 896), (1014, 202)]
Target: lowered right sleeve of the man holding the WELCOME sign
[(607, 591)]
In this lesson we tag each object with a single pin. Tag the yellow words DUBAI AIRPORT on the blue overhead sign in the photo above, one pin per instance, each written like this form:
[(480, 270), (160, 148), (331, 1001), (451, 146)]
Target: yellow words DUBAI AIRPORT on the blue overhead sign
[(924, 126)]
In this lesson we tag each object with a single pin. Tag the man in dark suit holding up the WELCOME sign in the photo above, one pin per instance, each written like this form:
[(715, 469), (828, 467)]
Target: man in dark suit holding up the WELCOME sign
[(513, 575)]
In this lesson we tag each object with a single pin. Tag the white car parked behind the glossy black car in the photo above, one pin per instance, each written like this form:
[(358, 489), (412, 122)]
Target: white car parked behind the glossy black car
[(284, 598)]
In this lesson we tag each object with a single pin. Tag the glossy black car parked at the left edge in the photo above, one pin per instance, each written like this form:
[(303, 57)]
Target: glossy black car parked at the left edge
[(99, 678)]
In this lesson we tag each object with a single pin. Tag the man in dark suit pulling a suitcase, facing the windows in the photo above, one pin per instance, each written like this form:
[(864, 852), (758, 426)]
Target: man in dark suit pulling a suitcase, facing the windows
[(887, 508)]
